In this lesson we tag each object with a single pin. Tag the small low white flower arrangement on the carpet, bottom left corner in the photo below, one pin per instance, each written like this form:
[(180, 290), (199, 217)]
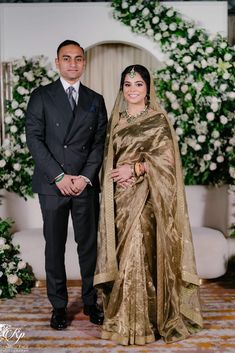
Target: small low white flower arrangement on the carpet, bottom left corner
[(15, 274)]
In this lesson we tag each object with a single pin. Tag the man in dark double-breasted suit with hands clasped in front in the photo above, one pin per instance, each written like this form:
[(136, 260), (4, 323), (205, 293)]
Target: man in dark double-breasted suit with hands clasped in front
[(65, 128)]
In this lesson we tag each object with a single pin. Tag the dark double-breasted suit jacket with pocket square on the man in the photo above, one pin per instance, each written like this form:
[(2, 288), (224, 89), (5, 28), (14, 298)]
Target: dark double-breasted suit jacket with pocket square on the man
[(61, 141)]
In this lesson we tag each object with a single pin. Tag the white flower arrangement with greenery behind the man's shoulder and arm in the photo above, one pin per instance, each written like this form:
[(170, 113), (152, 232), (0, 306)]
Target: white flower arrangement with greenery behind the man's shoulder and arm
[(16, 163)]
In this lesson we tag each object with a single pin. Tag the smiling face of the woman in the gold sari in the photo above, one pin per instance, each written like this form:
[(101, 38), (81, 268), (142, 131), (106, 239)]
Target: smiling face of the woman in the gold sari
[(134, 89)]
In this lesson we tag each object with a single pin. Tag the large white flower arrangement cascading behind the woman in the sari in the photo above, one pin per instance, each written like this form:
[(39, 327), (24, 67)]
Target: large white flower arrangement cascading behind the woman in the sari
[(196, 88)]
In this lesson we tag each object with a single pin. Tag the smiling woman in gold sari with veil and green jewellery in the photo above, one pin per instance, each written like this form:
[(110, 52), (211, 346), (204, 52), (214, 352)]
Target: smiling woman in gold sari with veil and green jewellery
[(145, 267)]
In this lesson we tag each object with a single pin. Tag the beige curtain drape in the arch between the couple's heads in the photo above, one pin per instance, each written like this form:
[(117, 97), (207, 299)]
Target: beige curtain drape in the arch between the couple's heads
[(105, 63)]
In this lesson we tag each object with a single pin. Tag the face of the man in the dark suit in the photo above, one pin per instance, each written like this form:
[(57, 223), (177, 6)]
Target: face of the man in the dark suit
[(70, 63)]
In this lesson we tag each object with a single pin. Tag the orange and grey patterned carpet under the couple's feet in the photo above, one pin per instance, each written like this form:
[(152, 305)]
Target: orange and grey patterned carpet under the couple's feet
[(24, 325)]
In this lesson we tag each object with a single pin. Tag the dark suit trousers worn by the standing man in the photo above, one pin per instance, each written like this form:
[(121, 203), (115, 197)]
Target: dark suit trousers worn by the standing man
[(84, 211)]
